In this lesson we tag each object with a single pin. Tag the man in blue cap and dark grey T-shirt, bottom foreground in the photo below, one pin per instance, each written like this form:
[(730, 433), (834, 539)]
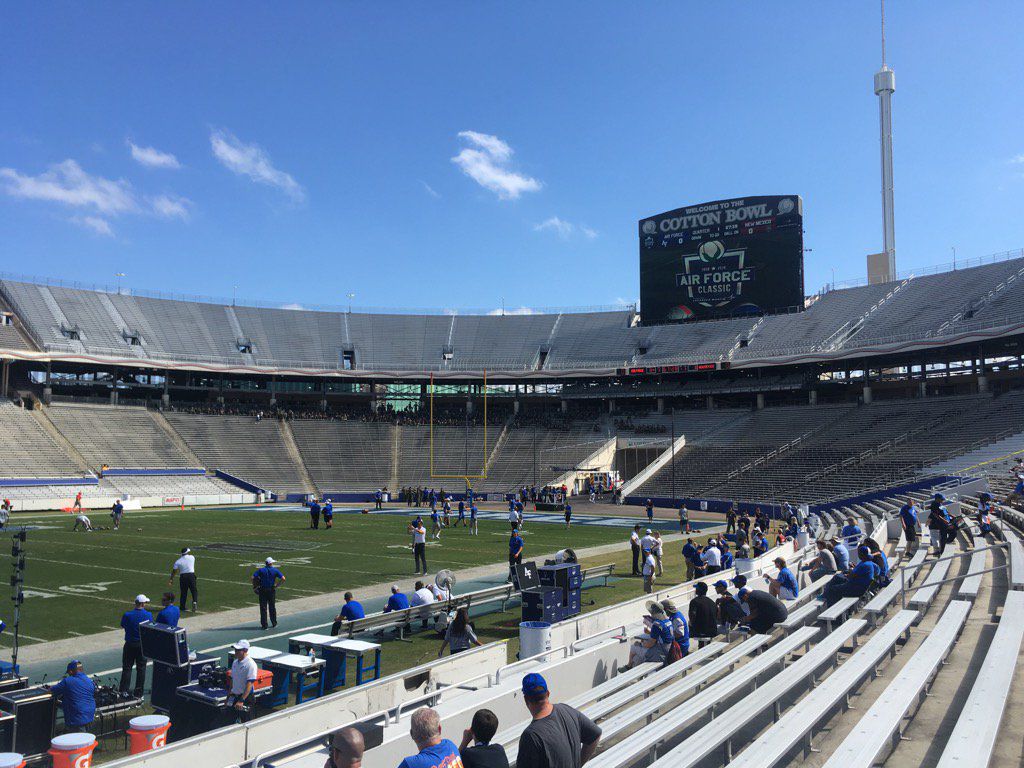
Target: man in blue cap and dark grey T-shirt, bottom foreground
[(559, 737)]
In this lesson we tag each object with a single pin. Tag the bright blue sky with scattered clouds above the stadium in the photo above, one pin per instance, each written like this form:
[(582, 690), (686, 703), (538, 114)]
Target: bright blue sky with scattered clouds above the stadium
[(464, 155)]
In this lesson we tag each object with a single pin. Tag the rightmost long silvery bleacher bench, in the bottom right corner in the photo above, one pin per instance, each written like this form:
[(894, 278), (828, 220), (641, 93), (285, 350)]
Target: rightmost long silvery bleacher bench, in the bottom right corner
[(973, 738)]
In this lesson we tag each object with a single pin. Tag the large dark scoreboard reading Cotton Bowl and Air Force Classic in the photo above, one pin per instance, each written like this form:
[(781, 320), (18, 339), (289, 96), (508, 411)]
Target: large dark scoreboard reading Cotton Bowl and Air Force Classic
[(727, 259)]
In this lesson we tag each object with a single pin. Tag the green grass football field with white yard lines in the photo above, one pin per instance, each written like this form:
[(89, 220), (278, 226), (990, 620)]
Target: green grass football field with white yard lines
[(79, 583)]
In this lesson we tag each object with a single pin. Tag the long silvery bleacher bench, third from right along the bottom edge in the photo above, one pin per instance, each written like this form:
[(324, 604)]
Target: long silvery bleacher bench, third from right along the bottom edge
[(798, 724)]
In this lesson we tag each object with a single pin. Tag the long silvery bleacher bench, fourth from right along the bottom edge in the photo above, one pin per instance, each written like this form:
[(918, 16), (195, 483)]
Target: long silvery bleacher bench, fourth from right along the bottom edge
[(722, 730)]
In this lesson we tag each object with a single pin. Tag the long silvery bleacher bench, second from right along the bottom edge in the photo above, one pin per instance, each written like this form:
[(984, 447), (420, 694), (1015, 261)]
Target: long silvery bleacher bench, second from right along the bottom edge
[(876, 730)]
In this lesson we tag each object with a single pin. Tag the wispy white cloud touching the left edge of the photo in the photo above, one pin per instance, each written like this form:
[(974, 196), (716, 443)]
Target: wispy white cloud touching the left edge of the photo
[(69, 185)]
